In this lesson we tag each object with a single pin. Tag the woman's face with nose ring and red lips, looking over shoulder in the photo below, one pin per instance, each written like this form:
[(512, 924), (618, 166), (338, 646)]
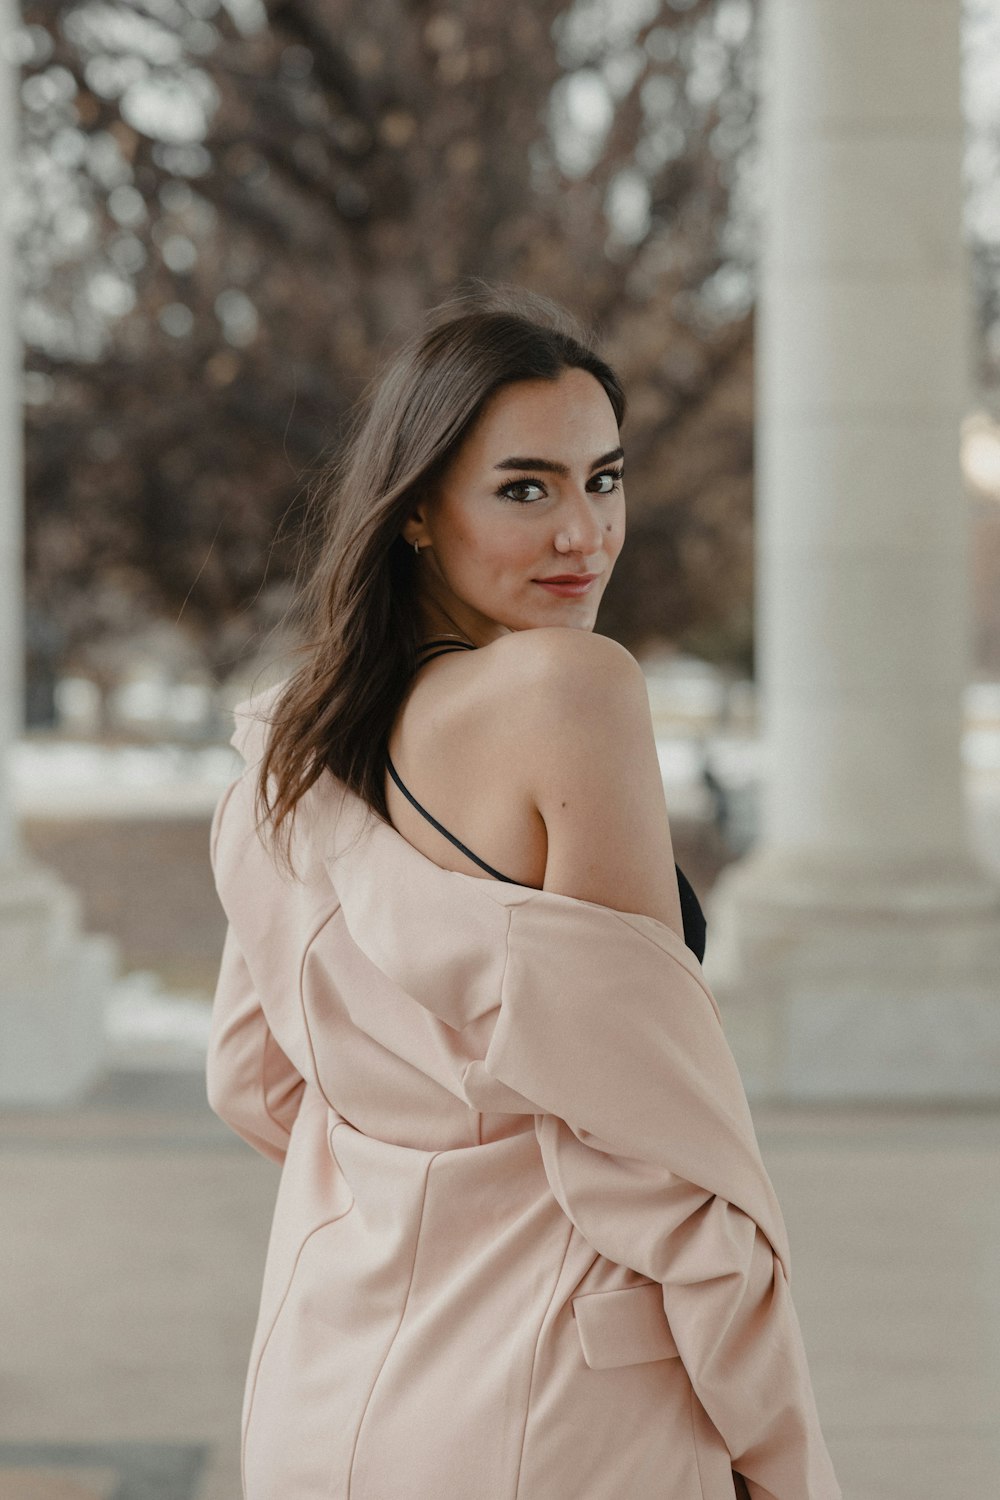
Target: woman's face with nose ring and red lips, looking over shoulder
[(534, 494)]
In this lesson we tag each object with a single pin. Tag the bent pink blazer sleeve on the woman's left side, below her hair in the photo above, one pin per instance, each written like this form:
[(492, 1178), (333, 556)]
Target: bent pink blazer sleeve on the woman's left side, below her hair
[(251, 1084)]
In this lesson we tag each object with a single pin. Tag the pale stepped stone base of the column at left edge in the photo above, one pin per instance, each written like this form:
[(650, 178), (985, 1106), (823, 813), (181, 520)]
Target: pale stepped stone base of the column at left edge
[(55, 982)]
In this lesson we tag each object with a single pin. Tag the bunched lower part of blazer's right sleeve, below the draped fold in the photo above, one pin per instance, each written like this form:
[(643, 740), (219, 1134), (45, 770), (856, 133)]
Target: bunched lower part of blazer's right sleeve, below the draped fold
[(726, 1298)]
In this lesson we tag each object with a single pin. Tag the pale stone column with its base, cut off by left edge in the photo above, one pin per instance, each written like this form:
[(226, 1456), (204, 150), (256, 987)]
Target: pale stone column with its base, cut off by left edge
[(53, 982)]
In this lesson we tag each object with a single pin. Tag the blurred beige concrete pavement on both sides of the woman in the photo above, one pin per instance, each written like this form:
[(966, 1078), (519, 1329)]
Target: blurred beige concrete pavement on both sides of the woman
[(134, 1241)]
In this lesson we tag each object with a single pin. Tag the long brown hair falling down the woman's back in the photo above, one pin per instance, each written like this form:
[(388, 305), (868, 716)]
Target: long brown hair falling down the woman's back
[(361, 605)]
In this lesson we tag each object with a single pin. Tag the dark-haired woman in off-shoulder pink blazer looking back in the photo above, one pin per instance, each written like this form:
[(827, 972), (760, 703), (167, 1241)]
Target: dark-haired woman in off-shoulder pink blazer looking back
[(524, 1241)]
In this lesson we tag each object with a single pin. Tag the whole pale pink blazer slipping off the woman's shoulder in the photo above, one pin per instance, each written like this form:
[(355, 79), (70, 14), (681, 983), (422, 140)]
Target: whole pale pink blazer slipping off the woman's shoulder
[(525, 1246)]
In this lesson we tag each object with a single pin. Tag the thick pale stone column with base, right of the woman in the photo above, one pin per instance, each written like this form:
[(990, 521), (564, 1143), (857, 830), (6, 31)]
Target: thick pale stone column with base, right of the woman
[(857, 949)]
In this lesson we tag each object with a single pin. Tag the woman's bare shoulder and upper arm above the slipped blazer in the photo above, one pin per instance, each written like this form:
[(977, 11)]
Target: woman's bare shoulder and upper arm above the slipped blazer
[(576, 722)]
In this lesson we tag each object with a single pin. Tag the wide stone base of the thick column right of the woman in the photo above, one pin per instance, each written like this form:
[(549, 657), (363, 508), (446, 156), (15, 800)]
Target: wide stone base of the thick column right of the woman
[(839, 982)]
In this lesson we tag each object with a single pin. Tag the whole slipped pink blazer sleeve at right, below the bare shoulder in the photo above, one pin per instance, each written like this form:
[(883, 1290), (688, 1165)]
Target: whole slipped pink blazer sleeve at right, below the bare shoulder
[(650, 1150)]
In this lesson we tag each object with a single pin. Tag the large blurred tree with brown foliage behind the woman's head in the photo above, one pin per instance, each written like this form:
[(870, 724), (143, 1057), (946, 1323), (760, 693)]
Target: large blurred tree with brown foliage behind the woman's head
[(232, 212)]
